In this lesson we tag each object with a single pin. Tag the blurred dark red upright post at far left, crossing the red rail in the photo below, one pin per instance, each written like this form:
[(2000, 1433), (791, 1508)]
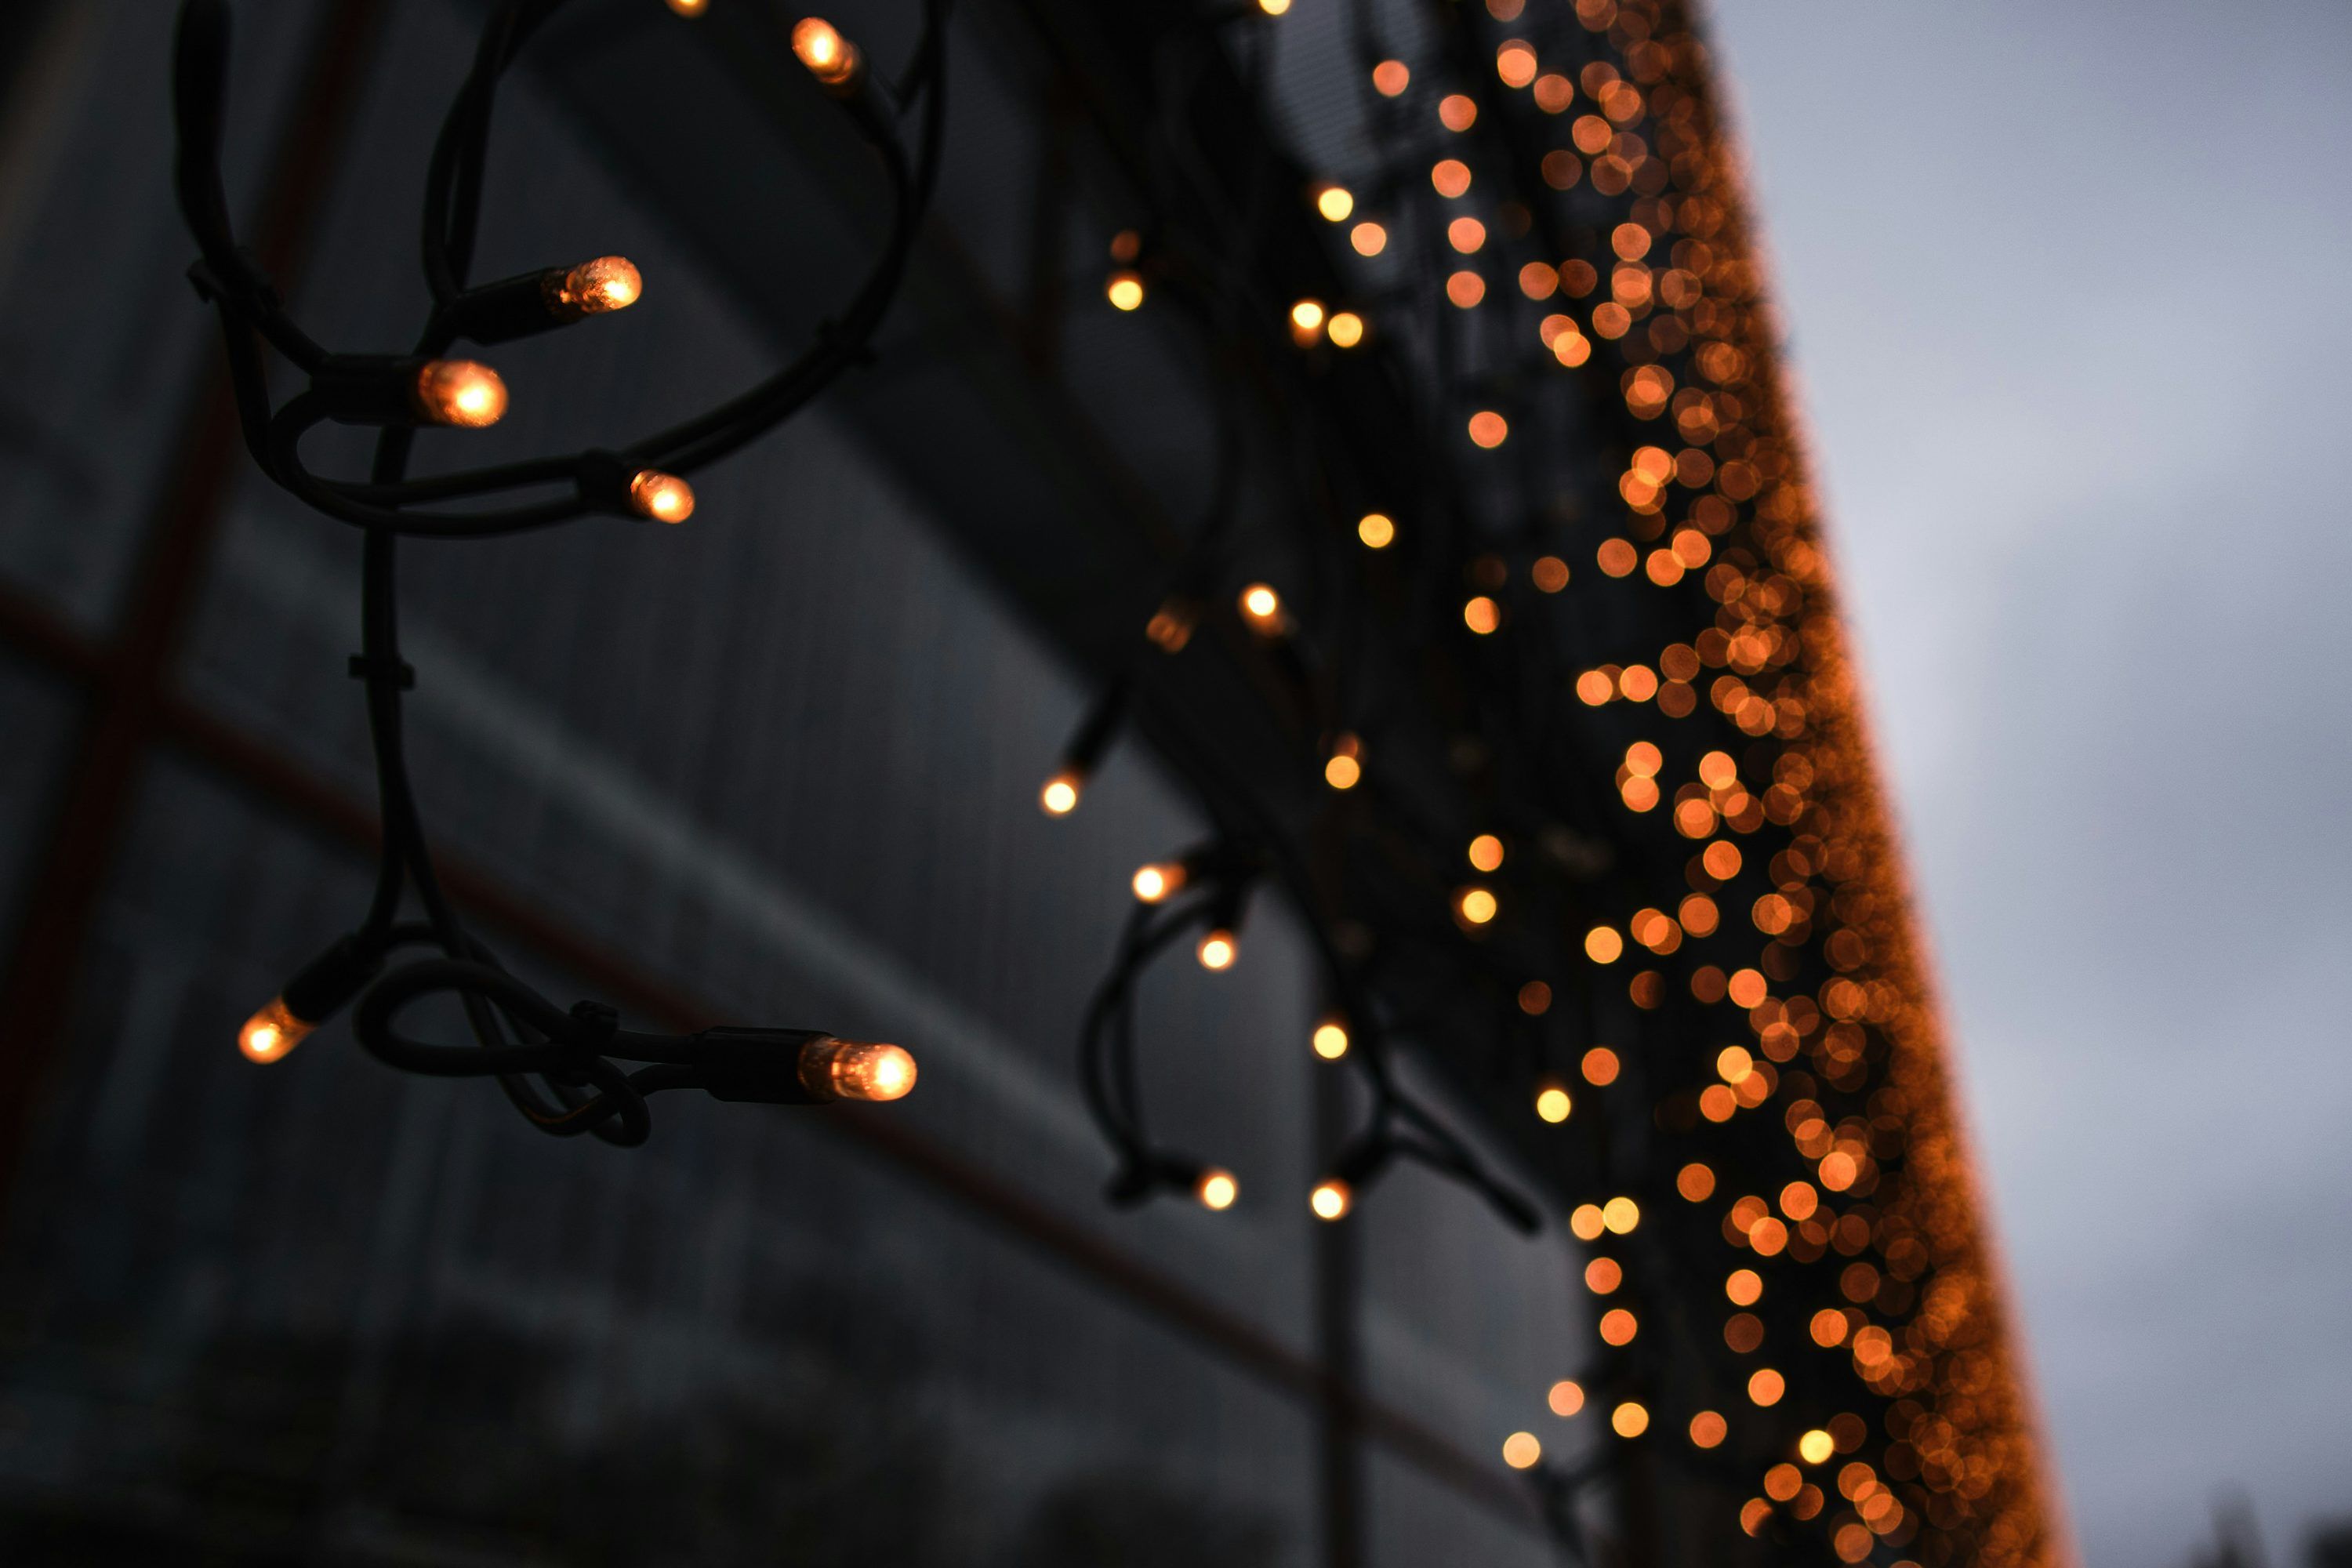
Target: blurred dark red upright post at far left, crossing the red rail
[(100, 789)]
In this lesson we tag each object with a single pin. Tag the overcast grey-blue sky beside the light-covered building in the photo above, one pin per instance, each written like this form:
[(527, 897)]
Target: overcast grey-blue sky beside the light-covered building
[(2071, 297)]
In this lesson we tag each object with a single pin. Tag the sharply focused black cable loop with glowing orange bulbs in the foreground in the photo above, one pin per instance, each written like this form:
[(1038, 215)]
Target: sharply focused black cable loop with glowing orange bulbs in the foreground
[(561, 1068)]
